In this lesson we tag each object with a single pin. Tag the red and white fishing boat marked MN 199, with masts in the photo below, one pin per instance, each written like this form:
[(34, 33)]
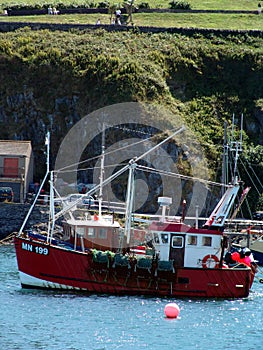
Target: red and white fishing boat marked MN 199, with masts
[(174, 260)]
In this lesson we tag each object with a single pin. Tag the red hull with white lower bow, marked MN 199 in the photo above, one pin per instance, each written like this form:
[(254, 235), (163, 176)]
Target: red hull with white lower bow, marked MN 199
[(47, 266)]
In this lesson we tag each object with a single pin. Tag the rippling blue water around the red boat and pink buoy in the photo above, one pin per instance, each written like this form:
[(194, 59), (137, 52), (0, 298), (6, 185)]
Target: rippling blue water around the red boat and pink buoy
[(34, 319)]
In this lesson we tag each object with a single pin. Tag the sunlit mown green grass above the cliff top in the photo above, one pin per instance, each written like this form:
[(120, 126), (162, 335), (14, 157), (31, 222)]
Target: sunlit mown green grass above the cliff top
[(185, 20)]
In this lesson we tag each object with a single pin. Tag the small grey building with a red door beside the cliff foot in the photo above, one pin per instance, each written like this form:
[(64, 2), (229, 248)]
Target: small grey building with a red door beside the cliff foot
[(16, 167)]
